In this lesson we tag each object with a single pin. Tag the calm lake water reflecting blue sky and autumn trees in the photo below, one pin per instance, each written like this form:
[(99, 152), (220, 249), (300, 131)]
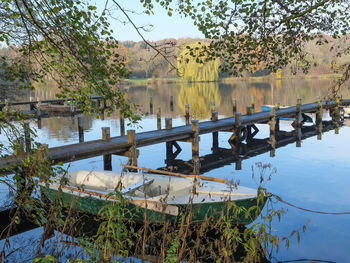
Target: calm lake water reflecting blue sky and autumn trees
[(315, 176)]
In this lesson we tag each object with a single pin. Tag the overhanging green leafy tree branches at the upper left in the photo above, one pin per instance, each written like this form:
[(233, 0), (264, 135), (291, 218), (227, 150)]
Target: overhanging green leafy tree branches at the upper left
[(68, 41)]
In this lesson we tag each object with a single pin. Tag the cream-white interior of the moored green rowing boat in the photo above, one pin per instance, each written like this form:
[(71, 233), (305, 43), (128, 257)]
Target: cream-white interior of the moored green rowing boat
[(155, 187)]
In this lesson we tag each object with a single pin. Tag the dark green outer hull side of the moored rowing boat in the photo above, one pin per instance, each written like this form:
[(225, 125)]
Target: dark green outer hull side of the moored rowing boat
[(243, 211)]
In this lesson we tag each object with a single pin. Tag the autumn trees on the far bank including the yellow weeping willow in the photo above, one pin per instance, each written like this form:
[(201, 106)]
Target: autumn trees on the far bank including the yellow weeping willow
[(144, 62)]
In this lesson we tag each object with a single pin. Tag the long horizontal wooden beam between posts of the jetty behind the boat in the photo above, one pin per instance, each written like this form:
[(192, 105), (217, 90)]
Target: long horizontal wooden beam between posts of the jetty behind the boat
[(119, 145)]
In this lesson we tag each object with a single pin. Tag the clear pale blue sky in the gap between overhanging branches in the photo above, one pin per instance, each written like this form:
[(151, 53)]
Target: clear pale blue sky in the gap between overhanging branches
[(163, 25)]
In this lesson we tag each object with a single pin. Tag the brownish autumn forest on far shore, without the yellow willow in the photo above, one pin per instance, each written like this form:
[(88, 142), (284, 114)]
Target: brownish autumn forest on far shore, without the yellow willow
[(144, 62)]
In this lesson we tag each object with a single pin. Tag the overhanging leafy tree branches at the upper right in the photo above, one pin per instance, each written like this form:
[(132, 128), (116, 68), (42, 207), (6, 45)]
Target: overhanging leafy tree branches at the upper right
[(245, 33)]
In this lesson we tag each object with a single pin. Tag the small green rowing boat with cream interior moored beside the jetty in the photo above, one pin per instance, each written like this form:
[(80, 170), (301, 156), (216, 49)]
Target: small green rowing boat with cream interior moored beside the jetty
[(159, 197)]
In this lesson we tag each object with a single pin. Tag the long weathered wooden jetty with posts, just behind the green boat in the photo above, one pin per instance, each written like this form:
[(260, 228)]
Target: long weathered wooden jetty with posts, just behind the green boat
[(242, 128)]
